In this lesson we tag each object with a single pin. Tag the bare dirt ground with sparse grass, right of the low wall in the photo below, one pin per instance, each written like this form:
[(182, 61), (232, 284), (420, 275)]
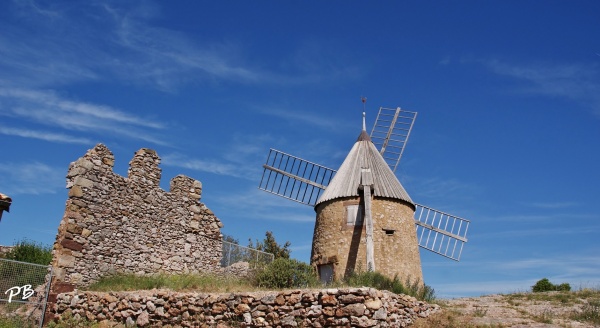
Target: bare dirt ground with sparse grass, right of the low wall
[(516, 310)]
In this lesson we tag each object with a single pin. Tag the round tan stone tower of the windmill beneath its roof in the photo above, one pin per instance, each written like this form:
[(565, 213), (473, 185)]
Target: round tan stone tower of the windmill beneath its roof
[(394, 239)]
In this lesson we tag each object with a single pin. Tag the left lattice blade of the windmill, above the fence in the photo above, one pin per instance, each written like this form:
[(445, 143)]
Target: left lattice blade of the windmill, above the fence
[(294, 178)]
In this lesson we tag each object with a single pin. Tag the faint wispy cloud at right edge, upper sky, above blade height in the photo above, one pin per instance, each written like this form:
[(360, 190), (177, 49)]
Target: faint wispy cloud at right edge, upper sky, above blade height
[(578, 82)]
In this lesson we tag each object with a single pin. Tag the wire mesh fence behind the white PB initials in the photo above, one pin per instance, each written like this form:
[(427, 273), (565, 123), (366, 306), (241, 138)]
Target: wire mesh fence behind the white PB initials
[(24, 289)]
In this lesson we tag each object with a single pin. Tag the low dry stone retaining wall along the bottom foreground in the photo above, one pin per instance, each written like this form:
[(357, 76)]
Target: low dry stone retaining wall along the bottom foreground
[(349, 307)]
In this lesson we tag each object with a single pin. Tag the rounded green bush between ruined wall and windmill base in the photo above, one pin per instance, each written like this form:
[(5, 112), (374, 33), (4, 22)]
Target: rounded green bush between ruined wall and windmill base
[(286, 273)]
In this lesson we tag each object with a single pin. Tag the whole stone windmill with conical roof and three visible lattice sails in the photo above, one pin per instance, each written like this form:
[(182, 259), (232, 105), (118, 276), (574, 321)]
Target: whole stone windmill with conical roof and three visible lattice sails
[(363, 211)]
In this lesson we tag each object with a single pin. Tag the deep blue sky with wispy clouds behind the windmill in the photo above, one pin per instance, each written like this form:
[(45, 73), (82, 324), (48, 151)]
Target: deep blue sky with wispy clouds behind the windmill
[(507, 135)]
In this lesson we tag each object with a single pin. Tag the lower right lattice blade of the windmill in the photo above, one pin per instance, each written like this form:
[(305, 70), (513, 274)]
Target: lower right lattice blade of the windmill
[(441, 233)]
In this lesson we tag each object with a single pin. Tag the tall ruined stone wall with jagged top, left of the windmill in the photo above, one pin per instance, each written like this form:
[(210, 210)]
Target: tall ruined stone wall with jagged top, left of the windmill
[(129, 224)]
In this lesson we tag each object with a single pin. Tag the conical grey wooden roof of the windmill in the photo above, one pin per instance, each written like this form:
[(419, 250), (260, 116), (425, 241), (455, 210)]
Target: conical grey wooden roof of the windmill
[(347, 180)]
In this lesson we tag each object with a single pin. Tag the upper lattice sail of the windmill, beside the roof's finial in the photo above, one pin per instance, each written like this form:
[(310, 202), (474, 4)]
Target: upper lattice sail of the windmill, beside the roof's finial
[(390, 133)]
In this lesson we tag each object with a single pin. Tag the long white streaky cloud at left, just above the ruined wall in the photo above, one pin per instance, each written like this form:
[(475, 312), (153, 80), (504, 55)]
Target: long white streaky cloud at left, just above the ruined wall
[(47, 108)]
